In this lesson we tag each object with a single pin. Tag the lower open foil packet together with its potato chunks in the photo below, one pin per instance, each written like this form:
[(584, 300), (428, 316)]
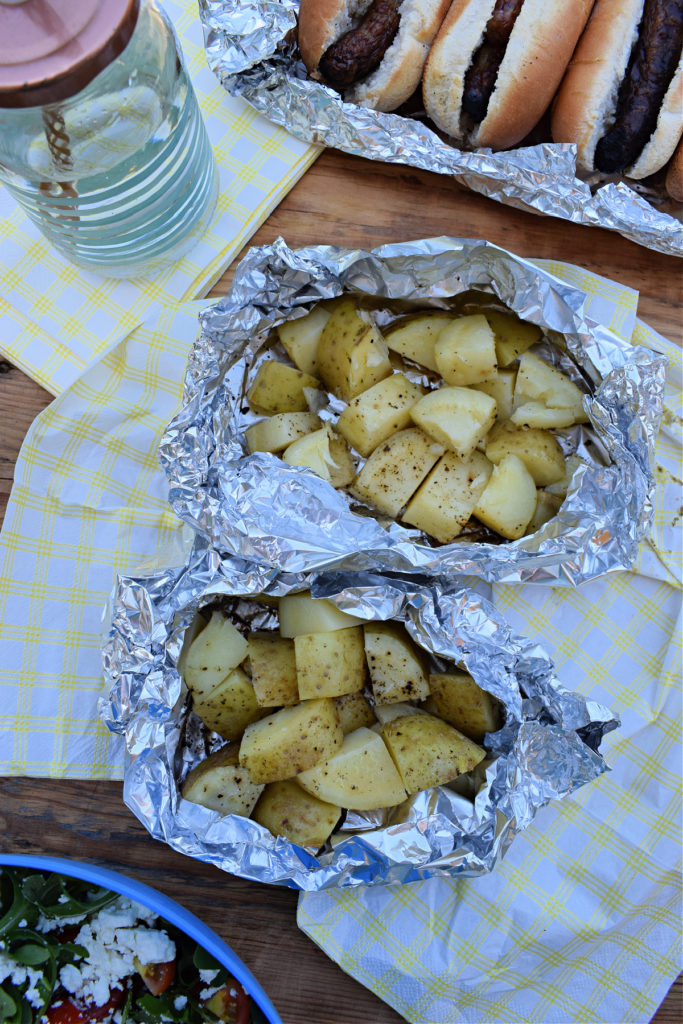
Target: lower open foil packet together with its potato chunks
[(223, 778)]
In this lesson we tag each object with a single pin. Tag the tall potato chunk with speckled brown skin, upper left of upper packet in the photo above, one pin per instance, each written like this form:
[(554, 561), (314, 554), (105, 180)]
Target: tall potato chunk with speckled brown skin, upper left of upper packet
[(352, 354)]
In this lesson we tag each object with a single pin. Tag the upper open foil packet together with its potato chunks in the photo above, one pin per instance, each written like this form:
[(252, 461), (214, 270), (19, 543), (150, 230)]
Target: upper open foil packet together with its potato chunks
[(296, 507)]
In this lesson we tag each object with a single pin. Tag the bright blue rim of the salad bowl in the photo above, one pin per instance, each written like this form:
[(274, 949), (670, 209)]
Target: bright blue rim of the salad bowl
[(162, 906)]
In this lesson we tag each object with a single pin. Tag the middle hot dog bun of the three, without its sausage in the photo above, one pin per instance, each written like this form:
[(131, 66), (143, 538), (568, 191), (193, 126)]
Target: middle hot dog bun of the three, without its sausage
[(539, 50)]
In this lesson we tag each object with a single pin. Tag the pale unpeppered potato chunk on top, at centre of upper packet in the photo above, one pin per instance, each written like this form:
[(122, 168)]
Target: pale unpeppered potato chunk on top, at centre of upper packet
[(457, 417)]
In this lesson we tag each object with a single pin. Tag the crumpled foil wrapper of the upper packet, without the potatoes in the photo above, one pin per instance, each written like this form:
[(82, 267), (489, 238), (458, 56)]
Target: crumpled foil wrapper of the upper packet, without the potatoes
[(260, 508)]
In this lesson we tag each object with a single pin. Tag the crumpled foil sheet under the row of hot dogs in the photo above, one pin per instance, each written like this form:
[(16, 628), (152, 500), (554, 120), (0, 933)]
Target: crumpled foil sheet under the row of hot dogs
[(251, 47)]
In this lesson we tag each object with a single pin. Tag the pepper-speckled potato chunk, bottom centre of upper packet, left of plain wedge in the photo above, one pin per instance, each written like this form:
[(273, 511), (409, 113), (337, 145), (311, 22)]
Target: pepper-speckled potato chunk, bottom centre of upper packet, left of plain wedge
[(444, 504)]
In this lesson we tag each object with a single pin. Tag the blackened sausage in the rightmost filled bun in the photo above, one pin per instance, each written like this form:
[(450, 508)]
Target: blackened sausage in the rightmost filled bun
[(652, 68)]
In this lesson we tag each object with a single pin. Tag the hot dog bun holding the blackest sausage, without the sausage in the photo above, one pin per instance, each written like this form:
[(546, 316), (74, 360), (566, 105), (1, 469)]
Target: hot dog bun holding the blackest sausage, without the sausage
[(586, 105)]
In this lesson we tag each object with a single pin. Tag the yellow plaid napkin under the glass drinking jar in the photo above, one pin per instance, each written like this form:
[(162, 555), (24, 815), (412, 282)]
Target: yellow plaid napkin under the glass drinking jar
[(57, 319)]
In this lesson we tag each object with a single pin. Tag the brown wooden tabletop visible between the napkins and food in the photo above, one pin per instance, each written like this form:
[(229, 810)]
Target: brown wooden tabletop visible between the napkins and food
[(348, 202)]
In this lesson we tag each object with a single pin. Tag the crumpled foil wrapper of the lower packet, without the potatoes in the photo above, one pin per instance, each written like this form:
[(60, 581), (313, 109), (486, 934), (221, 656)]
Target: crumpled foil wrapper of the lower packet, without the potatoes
[(546, 749)]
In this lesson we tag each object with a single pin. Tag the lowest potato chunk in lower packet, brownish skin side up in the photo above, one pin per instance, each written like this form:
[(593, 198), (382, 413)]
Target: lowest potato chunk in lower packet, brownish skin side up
[(286, 809)]
